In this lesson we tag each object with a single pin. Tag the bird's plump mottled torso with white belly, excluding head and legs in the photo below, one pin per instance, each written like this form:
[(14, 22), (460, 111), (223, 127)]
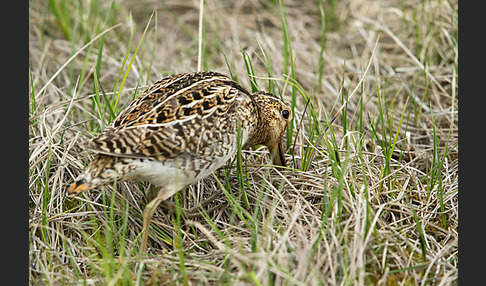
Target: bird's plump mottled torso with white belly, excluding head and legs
[(184, 126)]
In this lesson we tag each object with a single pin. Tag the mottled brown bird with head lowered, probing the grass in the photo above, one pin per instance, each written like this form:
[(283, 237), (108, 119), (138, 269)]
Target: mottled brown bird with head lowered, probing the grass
[(178, 131)]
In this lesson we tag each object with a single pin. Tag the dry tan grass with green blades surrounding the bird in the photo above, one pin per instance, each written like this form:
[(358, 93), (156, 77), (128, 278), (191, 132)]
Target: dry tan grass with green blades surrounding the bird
[(362, 211)]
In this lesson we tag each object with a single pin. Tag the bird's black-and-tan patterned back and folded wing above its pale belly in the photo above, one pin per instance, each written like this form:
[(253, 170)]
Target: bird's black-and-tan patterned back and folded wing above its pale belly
[(175, 115)]
